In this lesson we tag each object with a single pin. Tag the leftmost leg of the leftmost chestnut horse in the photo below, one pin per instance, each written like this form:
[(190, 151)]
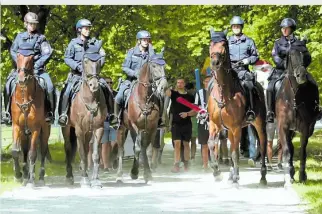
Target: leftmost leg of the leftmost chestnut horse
[(15, 153)]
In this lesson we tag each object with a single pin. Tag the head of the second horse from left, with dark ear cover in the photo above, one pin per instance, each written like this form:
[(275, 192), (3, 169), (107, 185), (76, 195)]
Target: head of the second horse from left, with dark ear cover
[(92, 67)]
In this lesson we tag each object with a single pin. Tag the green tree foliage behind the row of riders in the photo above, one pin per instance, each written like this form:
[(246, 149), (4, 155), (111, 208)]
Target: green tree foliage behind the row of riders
[(182, 30)]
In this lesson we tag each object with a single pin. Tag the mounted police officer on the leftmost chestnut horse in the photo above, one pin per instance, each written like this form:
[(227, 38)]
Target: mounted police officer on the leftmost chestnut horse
[(31, 41)]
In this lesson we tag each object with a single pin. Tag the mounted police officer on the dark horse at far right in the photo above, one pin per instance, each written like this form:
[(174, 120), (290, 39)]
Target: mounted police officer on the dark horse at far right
[(279, 53)]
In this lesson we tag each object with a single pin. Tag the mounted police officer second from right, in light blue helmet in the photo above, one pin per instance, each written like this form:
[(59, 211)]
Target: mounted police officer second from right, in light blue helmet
[(243, 52)]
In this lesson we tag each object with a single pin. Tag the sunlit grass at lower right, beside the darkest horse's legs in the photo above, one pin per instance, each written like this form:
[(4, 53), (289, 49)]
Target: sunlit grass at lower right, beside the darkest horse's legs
[(312, 190)]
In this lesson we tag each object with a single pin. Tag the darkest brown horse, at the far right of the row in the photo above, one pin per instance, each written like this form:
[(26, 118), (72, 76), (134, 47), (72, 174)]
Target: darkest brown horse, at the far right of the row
[(295, 111)]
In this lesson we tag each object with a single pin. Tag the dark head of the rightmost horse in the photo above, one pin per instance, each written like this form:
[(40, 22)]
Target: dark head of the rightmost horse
[(295, 66)]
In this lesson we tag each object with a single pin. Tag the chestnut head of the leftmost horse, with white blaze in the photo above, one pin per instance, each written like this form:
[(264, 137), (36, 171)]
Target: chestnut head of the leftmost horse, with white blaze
[(25, 66)]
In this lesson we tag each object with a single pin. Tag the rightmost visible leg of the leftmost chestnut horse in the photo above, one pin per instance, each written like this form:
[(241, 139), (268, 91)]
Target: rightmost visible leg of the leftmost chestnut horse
[(44, 136)]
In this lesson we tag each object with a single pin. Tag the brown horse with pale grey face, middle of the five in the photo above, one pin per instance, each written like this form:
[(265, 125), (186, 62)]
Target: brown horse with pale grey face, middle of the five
[(142, 115)]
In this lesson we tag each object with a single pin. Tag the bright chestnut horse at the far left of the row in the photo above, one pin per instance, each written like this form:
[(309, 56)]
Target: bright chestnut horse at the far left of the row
[(28, 122)]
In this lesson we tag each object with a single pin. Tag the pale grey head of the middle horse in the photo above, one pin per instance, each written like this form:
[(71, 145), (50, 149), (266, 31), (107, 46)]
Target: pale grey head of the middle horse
[(157, 73)]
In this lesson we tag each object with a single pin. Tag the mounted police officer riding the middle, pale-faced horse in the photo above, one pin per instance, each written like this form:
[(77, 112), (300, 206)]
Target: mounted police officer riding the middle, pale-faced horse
[(135, 59)]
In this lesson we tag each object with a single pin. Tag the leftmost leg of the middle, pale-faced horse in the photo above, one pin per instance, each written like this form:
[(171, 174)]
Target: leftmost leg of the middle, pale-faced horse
[(121, 133)]
